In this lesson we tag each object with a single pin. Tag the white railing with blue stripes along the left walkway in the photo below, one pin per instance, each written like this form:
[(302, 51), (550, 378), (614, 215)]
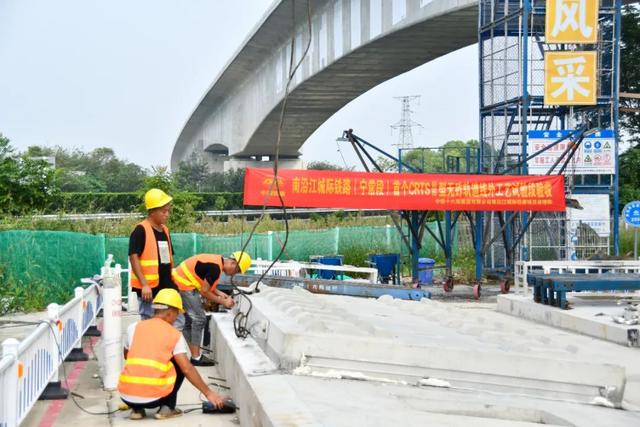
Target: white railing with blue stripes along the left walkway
[(27, 367)]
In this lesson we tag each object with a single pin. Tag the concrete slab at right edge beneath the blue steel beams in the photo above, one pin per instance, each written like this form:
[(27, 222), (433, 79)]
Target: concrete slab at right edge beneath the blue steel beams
[(590, 315)]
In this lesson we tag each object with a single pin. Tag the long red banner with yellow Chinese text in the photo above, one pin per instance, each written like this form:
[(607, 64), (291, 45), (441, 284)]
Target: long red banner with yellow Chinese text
[(404, 191)]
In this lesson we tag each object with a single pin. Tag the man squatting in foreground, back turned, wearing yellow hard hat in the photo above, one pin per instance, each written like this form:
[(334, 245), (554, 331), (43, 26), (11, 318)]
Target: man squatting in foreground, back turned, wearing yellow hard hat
[(156, 362)]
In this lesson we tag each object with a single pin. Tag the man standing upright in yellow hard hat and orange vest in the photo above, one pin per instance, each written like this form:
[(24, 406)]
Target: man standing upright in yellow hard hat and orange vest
[(151, 252)]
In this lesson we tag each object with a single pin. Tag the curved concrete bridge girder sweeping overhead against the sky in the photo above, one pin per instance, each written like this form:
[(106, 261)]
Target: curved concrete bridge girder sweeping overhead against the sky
[(349, 55)]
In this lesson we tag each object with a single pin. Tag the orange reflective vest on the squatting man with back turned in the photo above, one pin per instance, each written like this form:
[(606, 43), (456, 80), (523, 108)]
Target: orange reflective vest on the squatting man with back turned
[(148, 371)]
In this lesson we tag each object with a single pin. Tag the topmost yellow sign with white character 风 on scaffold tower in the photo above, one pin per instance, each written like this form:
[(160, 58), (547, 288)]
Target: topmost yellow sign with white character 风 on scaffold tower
[(571, 21)]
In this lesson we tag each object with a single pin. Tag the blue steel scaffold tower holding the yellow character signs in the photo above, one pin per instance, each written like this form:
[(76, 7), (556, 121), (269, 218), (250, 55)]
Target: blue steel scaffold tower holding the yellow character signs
[(519, 25)]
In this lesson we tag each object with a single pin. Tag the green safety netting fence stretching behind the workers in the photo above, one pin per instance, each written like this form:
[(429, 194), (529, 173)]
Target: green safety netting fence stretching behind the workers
[(65, 257)]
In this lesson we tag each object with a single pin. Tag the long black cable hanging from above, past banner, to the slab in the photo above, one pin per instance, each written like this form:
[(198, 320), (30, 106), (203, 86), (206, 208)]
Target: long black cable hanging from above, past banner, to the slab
[(240, 319)]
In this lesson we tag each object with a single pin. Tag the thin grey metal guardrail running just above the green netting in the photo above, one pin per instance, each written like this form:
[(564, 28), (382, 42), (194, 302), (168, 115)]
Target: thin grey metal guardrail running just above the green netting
[(237, 212)]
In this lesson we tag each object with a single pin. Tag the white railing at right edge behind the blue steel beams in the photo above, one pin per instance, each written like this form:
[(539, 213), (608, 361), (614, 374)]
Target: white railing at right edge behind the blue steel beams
[(523, 268)]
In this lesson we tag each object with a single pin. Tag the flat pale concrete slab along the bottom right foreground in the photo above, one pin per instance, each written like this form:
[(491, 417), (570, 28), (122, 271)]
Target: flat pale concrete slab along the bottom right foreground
[(365, 403)]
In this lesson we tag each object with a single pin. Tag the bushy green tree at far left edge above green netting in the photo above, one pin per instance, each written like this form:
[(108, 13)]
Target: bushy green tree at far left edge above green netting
[(26, 185)]
